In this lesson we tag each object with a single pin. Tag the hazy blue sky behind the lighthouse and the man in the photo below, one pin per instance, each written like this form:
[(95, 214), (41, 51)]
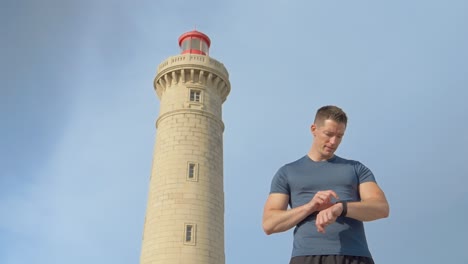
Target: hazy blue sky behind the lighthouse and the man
[(78, 115)]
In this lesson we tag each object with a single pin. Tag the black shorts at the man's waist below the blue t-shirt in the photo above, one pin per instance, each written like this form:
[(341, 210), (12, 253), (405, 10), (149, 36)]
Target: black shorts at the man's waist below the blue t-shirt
[(331, 259)]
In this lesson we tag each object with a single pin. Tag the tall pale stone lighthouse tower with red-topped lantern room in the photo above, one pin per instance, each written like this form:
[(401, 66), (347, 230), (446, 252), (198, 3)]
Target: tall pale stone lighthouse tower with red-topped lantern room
[(184, 221)]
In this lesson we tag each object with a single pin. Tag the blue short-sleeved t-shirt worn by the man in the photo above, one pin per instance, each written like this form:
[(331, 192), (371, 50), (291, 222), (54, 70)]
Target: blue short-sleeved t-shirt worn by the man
[(301, 180)]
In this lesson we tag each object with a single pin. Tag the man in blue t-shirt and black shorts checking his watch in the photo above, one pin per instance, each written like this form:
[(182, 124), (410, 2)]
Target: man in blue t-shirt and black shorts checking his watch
[(329, 198)]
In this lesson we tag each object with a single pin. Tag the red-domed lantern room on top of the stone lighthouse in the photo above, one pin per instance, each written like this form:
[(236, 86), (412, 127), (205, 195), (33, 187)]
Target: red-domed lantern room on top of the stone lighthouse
[(194, 42)]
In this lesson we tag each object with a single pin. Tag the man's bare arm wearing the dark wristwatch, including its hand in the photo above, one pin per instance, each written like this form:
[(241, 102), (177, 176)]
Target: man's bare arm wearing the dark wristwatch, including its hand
[(373, 206)]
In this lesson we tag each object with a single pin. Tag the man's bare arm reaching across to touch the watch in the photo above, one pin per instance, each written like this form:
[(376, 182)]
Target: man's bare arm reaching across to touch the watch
[(277, 217)]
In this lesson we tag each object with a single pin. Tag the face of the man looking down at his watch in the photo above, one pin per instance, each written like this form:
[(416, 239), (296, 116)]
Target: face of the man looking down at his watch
[(327, 137)]
